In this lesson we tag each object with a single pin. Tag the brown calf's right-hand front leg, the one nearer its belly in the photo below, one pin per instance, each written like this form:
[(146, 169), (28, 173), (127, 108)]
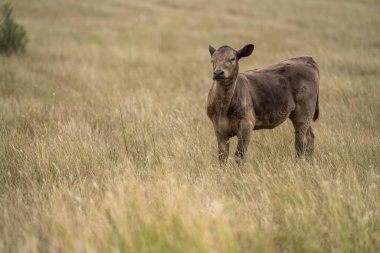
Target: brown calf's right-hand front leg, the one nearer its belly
[(244, 133)]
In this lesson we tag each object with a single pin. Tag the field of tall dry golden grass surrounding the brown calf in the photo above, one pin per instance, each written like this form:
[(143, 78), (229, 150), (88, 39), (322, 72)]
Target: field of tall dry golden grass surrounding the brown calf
[(105, 145)]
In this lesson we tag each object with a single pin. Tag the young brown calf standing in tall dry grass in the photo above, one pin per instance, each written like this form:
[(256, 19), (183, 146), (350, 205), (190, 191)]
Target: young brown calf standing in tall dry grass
[(261, 99)]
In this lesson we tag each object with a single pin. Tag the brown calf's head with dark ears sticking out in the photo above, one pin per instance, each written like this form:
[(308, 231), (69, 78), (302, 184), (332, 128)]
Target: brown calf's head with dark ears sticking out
[(225, 62)]
